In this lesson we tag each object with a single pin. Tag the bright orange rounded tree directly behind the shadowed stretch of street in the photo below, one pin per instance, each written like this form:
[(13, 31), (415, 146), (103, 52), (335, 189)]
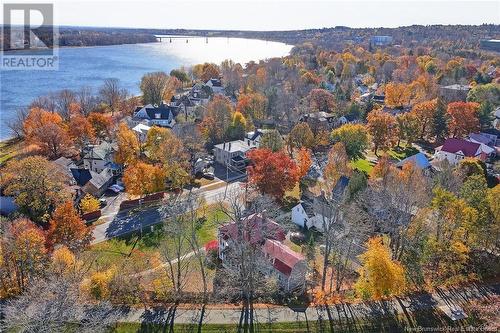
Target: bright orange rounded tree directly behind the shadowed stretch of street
[(141, 178)]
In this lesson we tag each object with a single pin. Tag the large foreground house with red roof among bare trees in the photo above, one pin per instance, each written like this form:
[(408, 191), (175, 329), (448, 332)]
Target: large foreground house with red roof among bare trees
[(288, 266)]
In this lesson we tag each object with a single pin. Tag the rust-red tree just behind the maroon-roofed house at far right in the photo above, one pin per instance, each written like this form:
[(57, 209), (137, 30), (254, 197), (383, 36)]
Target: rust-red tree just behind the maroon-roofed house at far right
[(463, 118)]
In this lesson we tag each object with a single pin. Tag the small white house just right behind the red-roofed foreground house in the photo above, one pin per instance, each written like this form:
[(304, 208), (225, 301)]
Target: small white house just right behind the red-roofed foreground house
[(313, 212)]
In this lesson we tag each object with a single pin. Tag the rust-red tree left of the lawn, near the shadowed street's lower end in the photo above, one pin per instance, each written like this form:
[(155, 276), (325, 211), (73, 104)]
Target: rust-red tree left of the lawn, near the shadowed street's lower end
[(68, 229)]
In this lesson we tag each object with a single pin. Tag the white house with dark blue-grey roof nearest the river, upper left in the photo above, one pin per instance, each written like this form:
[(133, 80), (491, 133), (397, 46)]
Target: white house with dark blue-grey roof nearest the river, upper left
[(162, 115)]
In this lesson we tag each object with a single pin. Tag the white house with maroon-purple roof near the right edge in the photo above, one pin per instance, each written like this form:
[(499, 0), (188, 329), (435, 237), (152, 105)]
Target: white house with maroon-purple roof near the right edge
[(454, 150)]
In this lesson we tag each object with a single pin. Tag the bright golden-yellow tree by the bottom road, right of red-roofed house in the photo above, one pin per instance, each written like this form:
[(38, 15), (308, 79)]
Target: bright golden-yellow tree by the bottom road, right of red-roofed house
[(379, 276)]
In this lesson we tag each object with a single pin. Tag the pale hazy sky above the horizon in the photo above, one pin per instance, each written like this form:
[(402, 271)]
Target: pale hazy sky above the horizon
[(271, 14)]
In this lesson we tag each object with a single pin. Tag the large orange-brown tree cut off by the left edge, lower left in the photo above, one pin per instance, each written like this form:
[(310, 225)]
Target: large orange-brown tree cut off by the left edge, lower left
[(22, 256)]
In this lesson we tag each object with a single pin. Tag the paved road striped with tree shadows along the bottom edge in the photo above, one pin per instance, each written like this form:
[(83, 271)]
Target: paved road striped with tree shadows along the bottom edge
[(347, 313)]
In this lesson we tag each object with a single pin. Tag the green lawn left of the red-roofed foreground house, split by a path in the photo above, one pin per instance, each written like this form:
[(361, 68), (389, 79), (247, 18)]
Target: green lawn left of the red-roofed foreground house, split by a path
[(140, 248)]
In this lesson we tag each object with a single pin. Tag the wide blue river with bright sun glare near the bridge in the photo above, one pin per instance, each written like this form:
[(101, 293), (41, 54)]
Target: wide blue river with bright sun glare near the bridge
[(90, 66)]
